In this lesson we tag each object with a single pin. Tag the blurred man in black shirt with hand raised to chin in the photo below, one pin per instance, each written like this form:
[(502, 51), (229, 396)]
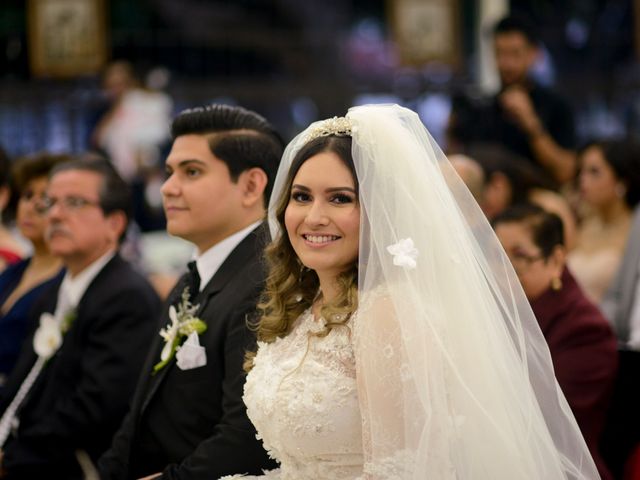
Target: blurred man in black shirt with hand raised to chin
[(525, 117)]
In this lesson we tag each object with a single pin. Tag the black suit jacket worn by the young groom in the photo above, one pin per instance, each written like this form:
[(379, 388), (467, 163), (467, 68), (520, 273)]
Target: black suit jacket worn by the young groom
[(192, 424)]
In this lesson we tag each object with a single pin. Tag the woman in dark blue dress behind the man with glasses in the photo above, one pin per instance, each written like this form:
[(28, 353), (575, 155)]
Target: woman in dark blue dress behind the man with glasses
[(22, 282)]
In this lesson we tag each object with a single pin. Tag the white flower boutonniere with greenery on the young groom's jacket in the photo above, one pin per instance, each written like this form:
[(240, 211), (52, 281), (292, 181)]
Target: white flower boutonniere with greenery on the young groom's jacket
[(183, 324)]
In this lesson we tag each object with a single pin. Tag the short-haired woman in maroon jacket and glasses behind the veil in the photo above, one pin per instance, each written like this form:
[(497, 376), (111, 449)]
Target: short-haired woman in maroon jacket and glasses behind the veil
[(581, 342)]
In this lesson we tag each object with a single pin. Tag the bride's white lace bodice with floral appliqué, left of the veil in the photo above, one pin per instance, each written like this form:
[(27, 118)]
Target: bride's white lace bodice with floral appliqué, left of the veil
[(301, 396)]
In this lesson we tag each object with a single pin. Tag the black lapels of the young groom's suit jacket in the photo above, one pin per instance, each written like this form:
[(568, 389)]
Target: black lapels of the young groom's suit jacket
[(245, 251)]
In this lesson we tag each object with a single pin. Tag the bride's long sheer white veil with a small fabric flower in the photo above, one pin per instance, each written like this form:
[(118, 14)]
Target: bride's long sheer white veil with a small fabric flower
[(455, 380)]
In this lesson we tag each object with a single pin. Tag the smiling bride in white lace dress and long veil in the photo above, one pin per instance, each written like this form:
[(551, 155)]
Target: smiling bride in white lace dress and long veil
[(394, 340)]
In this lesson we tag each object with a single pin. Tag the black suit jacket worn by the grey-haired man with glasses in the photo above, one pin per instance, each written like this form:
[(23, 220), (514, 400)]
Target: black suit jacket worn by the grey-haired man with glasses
[(83, 392)]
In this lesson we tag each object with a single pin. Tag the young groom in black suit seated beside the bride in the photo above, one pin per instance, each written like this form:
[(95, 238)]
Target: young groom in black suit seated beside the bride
[(188, 420)]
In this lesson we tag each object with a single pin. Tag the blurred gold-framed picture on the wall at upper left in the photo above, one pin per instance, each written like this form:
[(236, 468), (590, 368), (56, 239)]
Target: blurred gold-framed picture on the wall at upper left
[(66, 37)]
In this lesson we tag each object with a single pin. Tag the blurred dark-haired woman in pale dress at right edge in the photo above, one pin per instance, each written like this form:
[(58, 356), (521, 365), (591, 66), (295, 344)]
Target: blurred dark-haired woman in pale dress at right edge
[(609, 188)]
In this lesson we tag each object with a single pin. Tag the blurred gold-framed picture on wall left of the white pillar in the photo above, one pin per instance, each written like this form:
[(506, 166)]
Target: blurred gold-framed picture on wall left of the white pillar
[(426, 31)]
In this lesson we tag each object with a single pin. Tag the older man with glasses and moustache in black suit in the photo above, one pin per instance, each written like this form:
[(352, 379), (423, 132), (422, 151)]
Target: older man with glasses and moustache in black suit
[(72, 383)]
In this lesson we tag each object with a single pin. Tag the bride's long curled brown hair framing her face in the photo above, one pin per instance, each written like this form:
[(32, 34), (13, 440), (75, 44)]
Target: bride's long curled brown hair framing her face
[(291, 287)]
